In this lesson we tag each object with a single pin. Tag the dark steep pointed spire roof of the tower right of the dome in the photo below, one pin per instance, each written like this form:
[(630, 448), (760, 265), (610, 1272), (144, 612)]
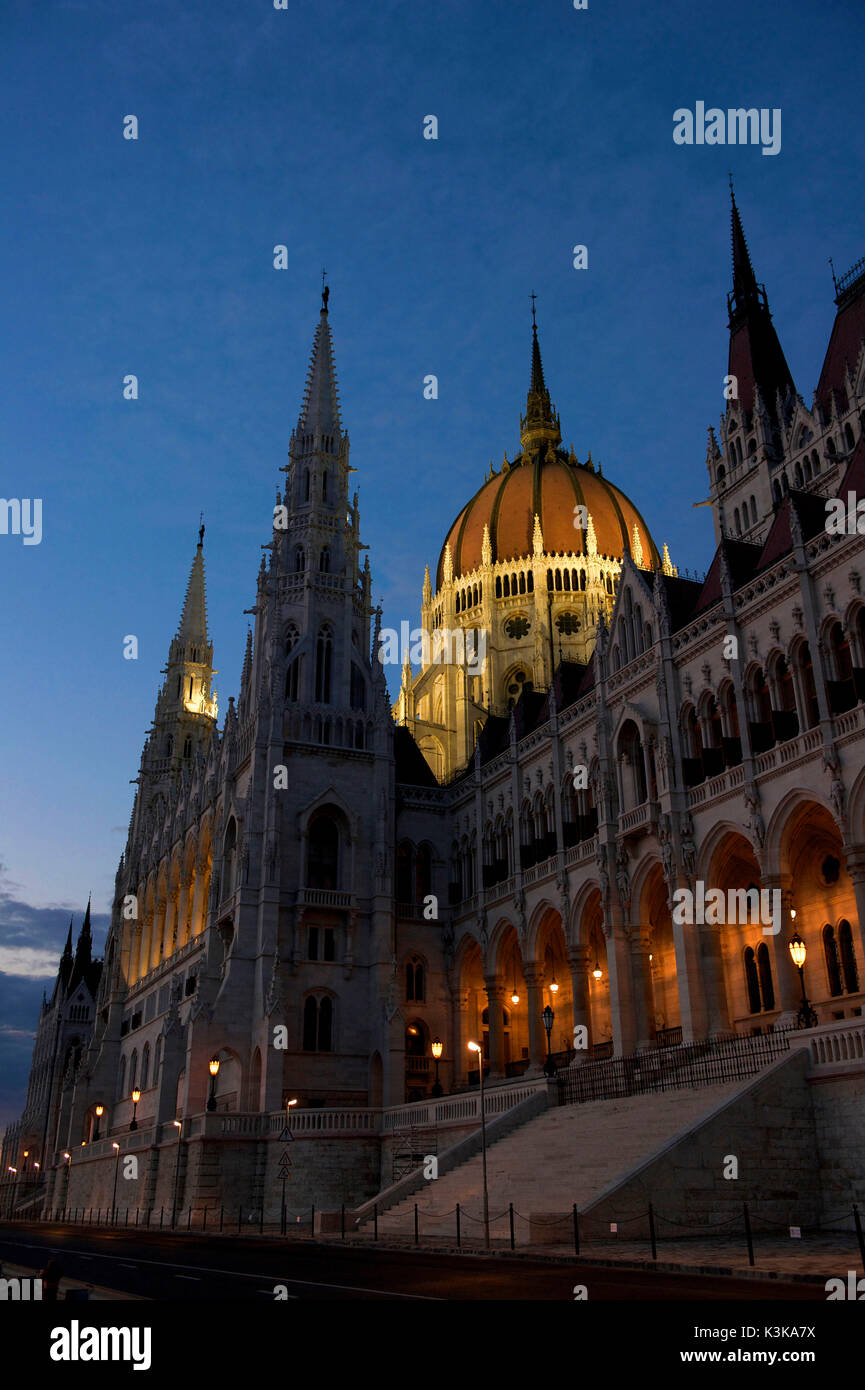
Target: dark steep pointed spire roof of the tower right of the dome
[(756, 359)]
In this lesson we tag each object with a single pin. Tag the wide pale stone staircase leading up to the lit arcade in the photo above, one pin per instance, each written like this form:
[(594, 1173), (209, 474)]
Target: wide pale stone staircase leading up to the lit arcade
[(568, 1154)]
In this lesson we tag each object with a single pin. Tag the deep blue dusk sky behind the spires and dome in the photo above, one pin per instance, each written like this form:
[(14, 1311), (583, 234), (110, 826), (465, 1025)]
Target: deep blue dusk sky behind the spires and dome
[(305, 127)]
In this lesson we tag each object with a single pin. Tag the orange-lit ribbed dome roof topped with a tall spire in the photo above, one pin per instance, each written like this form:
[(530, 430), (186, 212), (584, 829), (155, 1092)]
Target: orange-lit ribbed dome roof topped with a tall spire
[(547, 482)]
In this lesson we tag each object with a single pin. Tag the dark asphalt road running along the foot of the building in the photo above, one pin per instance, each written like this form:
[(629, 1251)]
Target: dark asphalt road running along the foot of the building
[(190, 1268)]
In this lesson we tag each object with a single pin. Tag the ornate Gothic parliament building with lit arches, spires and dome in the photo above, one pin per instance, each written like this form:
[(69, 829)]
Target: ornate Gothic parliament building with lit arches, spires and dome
[(323, 888)]
